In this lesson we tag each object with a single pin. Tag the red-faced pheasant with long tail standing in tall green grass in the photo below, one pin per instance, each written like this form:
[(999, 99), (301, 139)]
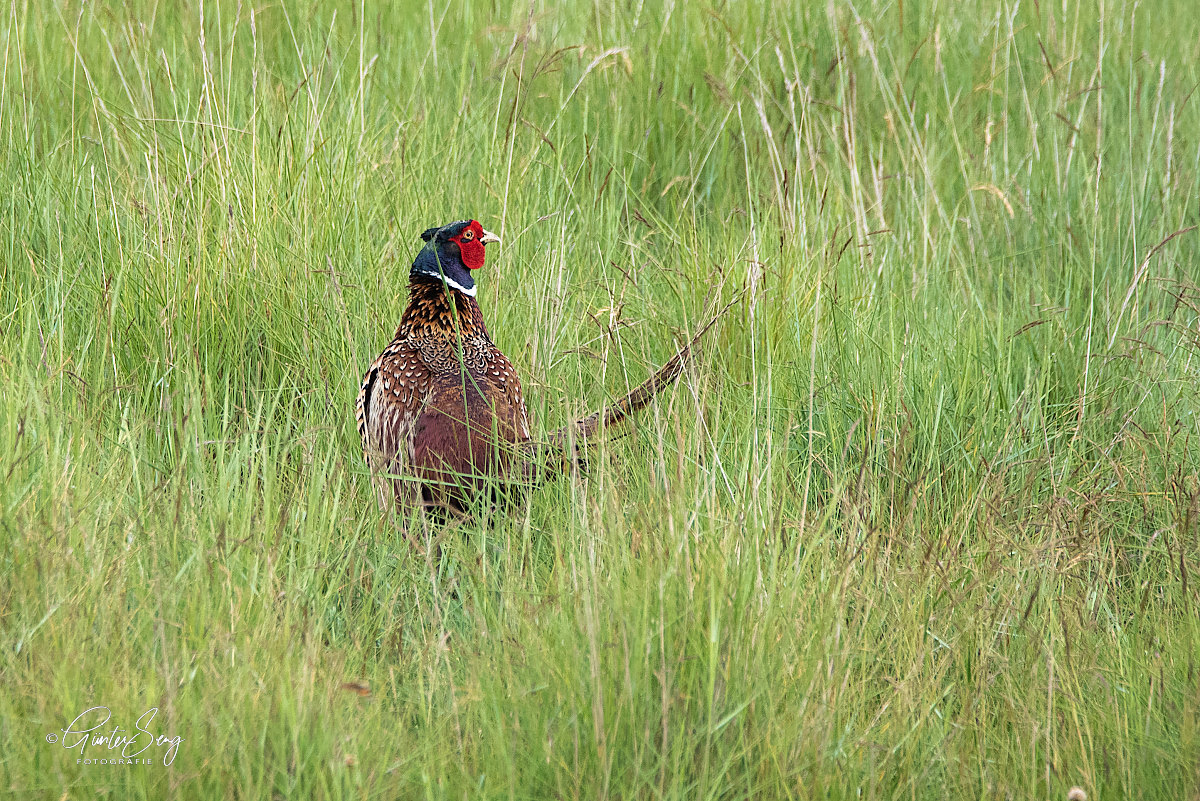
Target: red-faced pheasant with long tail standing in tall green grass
[(441, 412)]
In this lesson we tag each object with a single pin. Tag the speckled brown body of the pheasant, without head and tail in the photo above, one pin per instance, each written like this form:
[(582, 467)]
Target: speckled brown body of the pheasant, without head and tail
[(441, 412)]
